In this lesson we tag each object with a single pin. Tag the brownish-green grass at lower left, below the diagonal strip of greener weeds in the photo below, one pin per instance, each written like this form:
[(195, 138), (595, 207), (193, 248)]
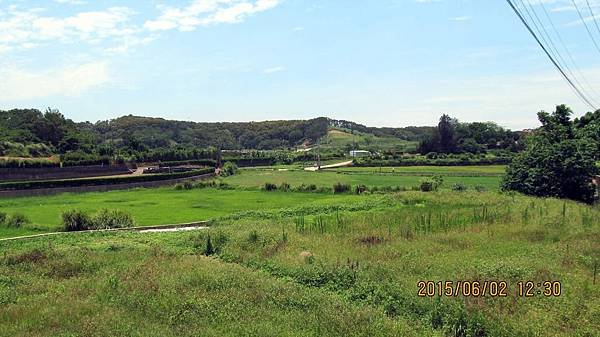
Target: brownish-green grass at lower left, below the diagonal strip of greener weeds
[(123, 285)]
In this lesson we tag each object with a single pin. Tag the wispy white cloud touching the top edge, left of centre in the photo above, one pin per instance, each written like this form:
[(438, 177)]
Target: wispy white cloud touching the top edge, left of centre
[(207, 12)]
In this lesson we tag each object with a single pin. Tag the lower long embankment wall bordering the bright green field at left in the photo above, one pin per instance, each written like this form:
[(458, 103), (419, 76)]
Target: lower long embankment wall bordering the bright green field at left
[(98, 188)]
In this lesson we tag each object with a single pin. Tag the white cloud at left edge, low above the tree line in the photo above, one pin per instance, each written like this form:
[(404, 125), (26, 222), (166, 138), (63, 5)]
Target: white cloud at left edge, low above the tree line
[(21, 84)]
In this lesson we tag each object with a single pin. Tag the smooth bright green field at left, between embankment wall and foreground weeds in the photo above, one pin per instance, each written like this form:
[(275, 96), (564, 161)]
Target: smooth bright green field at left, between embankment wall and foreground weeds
[(154, 206)]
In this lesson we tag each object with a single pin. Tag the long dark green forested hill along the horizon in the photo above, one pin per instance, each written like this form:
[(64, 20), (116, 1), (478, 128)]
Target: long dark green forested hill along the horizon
[(30, 132)]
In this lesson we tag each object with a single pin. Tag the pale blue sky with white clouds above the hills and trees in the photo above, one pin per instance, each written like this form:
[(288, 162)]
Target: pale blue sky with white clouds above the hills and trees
[(381, 63)]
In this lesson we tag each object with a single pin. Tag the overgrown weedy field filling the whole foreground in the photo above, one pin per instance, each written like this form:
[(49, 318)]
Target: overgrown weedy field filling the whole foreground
[(317, 270)]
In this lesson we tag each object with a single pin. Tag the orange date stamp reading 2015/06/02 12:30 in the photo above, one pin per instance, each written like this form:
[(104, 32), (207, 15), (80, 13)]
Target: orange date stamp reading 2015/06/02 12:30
[(488, 288)]
